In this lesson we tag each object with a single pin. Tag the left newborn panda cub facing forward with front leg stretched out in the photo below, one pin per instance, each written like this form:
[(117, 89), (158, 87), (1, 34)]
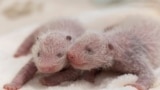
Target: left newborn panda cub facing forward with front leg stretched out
[(50, 44)]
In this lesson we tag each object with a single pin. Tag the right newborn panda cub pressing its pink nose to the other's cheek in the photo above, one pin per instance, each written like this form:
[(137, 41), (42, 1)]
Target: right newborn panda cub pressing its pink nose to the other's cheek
[(133, 46)]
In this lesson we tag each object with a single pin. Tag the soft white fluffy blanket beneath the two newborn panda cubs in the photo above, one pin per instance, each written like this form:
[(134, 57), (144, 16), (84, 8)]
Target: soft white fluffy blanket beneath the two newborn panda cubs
[(9, 66)]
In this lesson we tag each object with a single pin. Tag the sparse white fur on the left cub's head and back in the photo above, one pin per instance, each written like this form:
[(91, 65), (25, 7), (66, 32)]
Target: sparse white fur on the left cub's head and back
[(51, 44)]
